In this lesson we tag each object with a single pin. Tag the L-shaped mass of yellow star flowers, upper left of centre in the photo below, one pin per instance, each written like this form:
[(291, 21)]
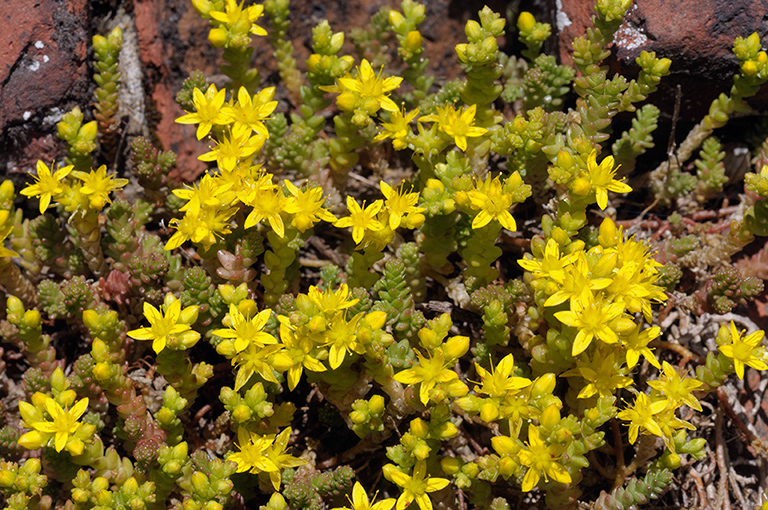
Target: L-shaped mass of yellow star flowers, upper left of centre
[(237, 181)]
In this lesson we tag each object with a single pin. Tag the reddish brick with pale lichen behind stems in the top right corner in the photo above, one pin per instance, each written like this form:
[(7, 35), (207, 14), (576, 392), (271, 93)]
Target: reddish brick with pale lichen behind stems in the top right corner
[(696, 36)]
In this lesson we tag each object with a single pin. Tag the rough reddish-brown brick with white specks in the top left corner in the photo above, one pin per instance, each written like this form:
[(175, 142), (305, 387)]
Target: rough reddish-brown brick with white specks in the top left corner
[(43, 72)]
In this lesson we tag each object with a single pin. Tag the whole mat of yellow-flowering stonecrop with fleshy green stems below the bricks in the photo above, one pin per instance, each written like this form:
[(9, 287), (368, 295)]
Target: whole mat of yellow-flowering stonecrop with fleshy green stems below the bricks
[(385, 291)]
